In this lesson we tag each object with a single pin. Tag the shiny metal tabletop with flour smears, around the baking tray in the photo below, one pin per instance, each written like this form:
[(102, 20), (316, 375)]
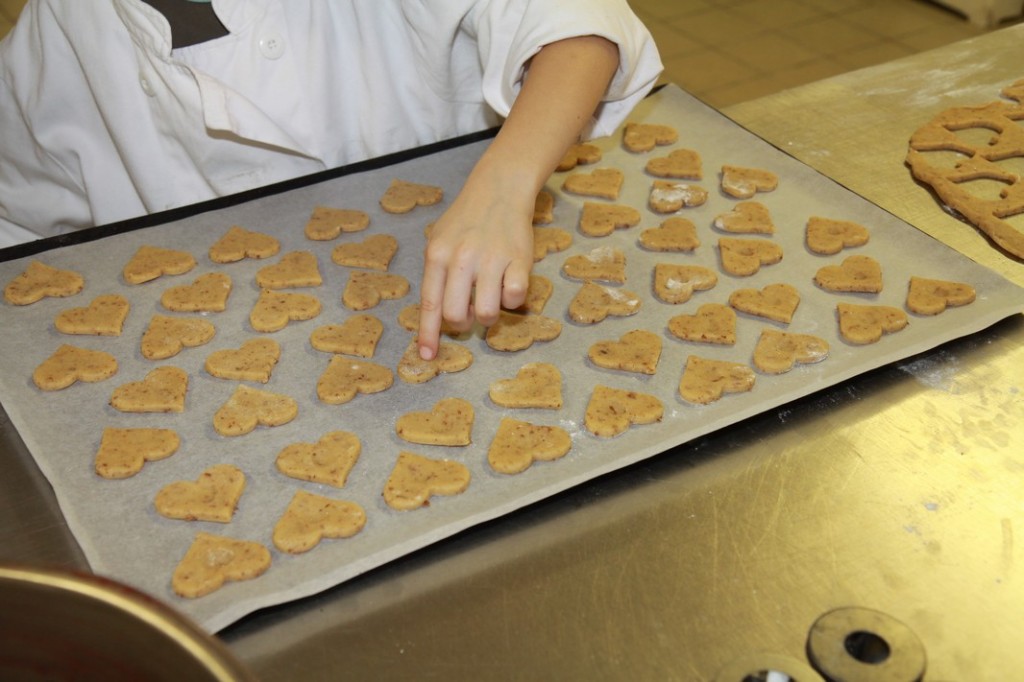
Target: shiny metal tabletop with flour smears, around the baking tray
[(900, 491)]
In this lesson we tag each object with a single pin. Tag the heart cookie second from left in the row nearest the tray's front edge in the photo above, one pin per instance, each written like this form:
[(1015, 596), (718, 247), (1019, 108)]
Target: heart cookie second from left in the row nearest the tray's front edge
[(309, 519)]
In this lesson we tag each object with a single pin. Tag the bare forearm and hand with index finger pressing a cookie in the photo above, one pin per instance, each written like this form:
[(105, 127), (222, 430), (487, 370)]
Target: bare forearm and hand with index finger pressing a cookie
[(481, 251)]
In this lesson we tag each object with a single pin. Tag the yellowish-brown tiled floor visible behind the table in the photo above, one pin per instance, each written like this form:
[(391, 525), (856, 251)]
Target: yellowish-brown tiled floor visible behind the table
[(727, 52)]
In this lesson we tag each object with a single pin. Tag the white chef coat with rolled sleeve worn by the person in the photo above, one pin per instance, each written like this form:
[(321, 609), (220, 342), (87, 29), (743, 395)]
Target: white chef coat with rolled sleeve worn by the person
[(101, 120)]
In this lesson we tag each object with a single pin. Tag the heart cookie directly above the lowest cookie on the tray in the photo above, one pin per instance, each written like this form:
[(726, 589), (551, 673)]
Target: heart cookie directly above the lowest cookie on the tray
[(212, 497)]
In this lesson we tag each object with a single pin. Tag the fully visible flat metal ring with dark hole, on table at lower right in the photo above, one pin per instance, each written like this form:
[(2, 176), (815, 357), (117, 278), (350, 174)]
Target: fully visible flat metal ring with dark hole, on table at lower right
[(857, 645)]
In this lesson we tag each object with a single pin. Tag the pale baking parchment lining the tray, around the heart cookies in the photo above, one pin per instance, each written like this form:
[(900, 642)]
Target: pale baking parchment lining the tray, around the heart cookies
[(116, 522)]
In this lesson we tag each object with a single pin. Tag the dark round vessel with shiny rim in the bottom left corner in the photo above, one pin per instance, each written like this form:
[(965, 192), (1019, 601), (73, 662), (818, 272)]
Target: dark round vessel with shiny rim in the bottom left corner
[(64, 626)]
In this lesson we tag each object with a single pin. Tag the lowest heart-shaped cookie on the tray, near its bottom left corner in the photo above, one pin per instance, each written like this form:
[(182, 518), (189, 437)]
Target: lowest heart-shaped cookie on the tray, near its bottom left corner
[(211, 561)]
